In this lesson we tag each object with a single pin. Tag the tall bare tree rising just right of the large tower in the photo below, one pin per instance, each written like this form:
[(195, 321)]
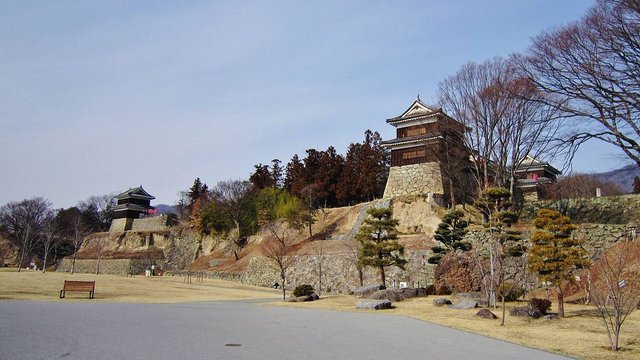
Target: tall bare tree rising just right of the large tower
[(505, 118)]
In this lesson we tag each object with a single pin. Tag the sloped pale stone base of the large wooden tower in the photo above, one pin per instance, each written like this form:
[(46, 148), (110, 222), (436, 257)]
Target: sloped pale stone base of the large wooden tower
[(417, 179)]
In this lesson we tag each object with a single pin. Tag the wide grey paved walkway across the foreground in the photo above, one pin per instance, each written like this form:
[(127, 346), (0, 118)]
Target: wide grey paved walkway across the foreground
[(230, 330)]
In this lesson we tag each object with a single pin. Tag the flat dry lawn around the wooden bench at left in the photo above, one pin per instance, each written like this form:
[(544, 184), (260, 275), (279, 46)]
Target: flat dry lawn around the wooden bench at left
[(34, 285)]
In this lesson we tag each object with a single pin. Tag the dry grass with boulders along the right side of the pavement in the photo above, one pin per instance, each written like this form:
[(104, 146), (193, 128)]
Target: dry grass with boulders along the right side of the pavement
[(580, 333)]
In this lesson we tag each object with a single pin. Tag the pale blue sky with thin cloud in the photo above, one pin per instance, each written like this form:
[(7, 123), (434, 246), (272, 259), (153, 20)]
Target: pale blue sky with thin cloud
[(100, 96)]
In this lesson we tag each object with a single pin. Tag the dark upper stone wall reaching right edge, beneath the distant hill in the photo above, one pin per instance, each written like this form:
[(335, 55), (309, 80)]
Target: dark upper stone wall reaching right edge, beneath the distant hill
[(623, 209)]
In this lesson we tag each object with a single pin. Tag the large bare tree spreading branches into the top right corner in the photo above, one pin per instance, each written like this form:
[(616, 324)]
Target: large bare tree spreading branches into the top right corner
[(591, 68)]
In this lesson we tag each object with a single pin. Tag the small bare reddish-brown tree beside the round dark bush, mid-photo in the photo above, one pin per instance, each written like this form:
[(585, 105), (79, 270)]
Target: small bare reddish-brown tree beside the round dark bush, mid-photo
[(279, 250)]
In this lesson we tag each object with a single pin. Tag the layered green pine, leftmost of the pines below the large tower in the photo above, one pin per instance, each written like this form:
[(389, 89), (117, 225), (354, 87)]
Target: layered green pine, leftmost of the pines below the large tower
[(379, 245)]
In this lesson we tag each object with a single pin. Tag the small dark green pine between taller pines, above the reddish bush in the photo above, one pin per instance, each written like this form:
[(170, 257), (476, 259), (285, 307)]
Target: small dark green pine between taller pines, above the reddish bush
[(450, 233)]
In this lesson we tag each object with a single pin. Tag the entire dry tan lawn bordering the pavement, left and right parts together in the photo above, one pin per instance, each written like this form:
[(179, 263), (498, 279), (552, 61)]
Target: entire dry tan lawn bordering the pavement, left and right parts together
[(580, 334)]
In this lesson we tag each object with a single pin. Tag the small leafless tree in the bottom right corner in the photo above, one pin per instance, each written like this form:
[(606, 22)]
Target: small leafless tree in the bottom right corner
[(614, 288)]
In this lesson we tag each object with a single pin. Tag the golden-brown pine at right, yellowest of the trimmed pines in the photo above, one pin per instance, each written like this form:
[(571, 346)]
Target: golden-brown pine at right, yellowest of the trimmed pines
[(554, 254)]
